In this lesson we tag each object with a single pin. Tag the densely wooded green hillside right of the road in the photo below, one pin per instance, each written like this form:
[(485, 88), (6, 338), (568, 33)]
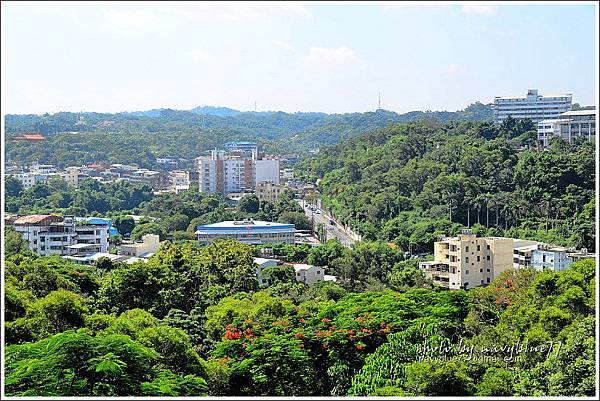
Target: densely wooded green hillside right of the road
[(409, 183)]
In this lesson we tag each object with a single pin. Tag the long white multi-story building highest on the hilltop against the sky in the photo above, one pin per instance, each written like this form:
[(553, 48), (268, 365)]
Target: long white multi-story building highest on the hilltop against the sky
[(532, 106)]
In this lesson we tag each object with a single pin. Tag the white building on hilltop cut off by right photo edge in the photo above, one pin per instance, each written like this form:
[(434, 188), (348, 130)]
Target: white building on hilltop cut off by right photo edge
[(568, 126)]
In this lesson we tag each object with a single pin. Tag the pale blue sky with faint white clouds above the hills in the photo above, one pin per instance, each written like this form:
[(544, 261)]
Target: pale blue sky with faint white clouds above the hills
[(289, 56)]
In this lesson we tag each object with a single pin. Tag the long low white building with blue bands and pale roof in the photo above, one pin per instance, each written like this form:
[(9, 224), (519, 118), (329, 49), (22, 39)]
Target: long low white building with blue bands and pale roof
[(248, 232)]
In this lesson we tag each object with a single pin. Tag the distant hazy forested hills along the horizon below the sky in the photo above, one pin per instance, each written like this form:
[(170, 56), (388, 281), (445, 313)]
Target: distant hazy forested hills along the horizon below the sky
[(138, 137)]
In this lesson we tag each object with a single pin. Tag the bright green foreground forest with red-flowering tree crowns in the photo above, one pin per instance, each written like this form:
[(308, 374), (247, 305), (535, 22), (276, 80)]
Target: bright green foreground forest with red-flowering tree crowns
[(193, 321)]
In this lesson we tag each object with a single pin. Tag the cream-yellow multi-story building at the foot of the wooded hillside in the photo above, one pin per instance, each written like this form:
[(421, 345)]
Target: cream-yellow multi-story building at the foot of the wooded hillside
[(468, 261)]
